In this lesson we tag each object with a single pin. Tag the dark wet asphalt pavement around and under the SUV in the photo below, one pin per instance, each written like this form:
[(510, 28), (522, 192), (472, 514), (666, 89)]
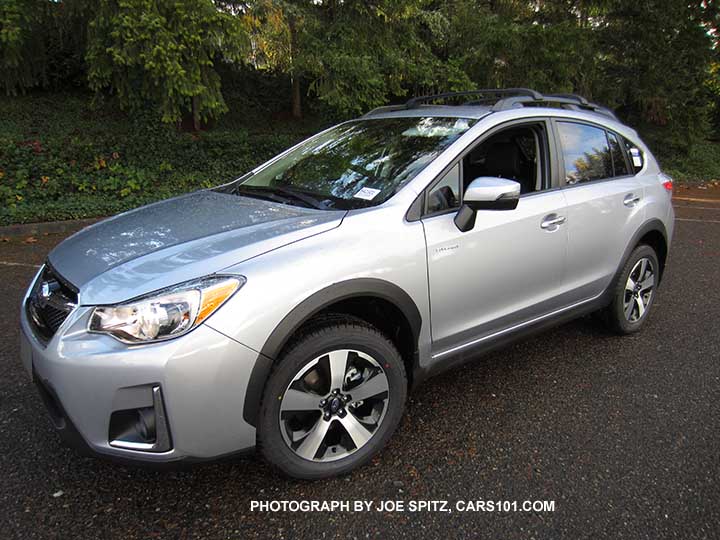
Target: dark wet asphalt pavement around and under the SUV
[(622, 433)]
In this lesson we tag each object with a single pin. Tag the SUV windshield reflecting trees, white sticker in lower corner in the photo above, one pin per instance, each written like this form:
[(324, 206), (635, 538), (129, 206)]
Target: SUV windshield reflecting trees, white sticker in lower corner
[(356, 164)]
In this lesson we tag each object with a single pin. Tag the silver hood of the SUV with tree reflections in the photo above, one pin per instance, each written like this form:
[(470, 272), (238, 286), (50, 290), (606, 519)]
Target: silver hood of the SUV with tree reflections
[(178, 240)]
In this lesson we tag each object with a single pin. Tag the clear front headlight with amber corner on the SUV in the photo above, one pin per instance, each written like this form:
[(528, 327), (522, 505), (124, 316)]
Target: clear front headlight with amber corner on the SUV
[(165, 314)]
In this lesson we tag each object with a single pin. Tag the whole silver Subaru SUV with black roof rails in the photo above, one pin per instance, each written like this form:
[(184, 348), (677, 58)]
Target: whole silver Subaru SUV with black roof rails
[(293, 308)]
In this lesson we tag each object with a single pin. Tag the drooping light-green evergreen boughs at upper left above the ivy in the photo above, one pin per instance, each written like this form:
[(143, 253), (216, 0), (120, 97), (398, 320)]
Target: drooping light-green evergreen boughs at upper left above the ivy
[(164, 53)]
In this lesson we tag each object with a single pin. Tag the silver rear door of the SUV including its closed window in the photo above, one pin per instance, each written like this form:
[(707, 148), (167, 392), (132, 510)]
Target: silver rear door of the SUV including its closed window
[(603, 204)]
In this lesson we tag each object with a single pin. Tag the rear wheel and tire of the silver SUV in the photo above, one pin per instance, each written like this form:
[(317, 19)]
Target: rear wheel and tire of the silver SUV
[(631, 306)]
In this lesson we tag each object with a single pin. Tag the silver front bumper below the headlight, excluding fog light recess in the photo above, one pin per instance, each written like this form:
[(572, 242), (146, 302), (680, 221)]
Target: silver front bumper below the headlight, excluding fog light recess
[(84, 378)]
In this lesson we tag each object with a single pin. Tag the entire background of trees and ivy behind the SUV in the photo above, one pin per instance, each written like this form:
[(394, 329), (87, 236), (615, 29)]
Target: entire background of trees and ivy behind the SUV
[(113, 103)]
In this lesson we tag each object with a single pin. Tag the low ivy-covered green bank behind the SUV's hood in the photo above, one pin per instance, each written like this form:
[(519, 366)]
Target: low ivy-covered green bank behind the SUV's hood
[(61, 158)]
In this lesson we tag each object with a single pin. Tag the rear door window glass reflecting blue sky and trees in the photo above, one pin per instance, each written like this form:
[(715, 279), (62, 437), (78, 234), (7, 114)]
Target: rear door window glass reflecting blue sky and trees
[(586, 153)]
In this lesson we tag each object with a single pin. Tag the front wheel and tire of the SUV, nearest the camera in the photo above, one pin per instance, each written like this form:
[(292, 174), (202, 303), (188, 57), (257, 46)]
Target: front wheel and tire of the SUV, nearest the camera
[(304, 429)]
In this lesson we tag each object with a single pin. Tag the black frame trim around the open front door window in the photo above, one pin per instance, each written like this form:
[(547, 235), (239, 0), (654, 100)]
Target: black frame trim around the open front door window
[(553, 178)]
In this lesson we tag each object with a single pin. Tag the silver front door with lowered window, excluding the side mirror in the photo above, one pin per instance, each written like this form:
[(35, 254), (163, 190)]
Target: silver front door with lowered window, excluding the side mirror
[(508, 269)]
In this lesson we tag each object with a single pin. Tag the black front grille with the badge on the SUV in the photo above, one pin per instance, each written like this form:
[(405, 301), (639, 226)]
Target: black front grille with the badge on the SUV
[(50, 302)]
